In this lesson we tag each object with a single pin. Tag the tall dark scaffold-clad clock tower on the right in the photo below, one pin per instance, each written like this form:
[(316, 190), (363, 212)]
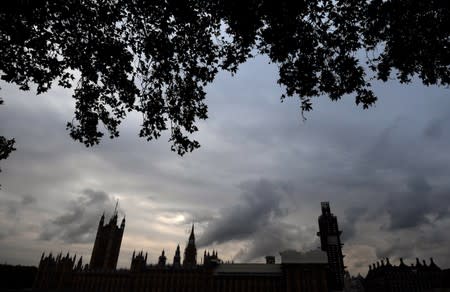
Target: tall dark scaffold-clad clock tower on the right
[(331, 243)]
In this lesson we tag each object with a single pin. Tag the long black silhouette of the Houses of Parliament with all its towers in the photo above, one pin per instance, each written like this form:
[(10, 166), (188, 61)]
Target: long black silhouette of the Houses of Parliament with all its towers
[(320, 270)]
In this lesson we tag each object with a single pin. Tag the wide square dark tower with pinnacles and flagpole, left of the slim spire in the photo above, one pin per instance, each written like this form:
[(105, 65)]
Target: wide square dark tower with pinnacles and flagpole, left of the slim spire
[(107, 244)]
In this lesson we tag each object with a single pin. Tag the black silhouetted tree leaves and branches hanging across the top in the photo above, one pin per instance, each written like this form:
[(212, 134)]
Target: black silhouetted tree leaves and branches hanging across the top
[(156, 57)]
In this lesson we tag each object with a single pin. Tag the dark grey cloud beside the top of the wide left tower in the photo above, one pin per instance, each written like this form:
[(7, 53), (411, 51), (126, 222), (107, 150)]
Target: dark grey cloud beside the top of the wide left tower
[(79, 221)]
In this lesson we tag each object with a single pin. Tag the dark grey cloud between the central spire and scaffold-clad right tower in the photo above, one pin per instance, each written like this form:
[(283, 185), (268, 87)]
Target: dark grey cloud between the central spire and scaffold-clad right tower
[(258, 219)]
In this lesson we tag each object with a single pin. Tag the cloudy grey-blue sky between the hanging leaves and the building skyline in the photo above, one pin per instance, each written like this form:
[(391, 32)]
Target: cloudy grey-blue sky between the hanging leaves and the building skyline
[(252, 189)]
